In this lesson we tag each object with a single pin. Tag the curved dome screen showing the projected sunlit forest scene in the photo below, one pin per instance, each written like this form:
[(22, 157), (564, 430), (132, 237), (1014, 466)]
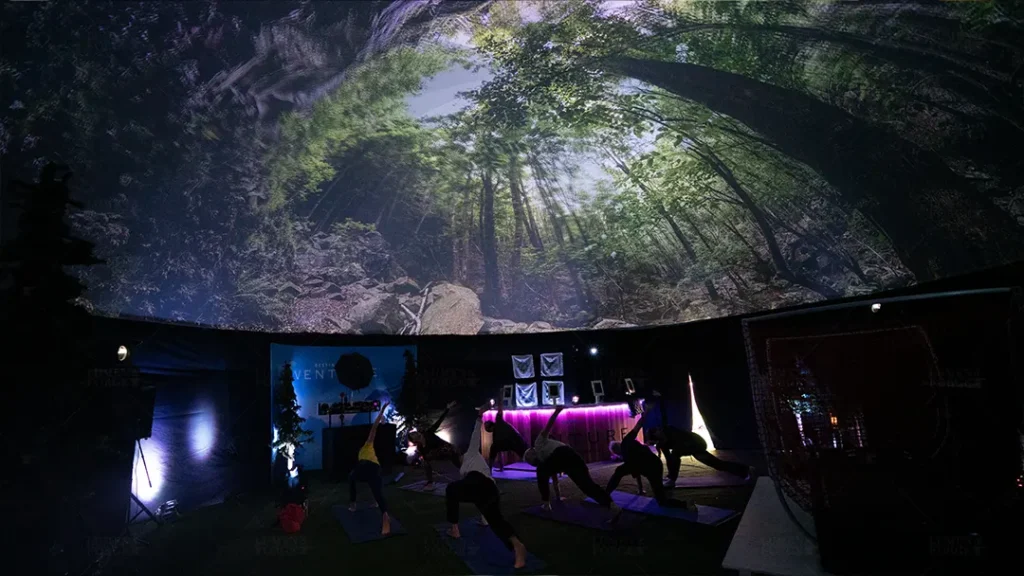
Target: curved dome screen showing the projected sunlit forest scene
[(490, 168)]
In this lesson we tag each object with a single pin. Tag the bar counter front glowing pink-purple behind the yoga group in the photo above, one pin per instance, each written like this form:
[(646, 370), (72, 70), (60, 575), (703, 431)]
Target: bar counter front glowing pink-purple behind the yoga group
[(587, 429)]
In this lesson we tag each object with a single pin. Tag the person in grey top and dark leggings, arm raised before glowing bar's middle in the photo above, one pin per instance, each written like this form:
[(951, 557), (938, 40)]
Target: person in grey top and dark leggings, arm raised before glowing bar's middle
[(552, 458)]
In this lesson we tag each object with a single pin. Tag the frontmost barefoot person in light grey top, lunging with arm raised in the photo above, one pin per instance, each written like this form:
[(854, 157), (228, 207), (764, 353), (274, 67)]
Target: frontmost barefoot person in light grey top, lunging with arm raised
[(478, 487)]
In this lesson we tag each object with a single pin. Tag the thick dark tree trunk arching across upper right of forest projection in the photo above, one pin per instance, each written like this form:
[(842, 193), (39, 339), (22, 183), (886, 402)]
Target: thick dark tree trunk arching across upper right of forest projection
[(937, 227)]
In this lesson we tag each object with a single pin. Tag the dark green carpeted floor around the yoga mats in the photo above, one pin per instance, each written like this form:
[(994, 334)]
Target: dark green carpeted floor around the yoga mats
[(240, 538)]
